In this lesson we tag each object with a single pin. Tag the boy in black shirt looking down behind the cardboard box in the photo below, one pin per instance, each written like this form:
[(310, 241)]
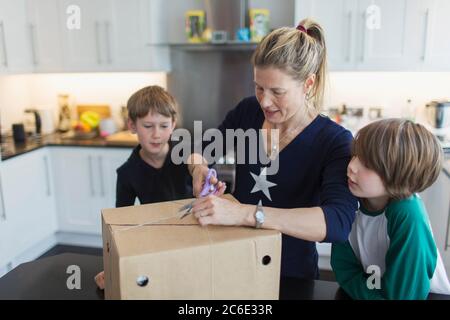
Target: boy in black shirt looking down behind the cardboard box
[(149, 174)]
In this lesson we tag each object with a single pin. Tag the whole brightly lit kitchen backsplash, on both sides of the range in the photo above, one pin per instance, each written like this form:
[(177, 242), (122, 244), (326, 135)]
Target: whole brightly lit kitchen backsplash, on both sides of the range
[(389, 90)]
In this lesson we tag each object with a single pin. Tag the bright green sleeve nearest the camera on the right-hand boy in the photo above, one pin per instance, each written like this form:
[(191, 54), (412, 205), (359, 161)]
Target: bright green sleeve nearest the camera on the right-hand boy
[(412, 254)]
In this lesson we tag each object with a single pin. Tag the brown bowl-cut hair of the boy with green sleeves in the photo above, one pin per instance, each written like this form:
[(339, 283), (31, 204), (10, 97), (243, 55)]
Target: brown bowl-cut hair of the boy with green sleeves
[(407, 157)]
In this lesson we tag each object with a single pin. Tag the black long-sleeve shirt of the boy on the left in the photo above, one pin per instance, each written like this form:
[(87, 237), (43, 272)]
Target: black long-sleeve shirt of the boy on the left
[(136, 178)]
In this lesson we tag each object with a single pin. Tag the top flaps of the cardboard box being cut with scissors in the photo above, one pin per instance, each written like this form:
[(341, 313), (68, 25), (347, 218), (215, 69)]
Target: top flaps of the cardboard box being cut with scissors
[(157, 227)]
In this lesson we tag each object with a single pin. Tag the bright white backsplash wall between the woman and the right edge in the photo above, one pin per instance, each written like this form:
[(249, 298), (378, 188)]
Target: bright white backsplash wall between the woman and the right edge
[(389, 90)]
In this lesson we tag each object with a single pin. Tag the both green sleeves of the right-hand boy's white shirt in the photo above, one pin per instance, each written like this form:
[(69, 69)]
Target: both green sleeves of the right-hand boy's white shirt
[(410, 259)]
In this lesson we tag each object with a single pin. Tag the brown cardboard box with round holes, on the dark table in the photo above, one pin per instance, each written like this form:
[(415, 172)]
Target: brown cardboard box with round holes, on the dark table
[(149, 253)]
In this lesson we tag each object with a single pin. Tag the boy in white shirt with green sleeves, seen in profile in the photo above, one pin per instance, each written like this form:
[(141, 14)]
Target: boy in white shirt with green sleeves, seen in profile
[(393, 159)]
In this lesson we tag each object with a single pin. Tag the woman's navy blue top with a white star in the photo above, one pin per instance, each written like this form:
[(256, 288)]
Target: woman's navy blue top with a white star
[(312, 172)]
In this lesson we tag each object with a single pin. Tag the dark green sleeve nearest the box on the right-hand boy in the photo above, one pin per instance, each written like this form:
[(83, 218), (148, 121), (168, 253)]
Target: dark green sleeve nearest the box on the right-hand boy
[(350, 273)]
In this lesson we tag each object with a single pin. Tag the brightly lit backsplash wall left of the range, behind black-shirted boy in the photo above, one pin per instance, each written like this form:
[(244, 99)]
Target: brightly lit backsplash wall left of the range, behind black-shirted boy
[(41, 90)]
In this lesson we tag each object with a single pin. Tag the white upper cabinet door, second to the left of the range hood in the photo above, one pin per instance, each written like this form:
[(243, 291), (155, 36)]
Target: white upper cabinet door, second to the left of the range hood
[(85, 48)]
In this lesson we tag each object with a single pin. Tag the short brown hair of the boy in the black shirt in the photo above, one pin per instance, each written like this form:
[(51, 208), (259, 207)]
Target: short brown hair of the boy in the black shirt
[(151, 99)]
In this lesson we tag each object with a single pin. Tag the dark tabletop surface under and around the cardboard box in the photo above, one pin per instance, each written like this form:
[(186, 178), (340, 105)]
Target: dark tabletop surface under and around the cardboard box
[(47, 278)]
